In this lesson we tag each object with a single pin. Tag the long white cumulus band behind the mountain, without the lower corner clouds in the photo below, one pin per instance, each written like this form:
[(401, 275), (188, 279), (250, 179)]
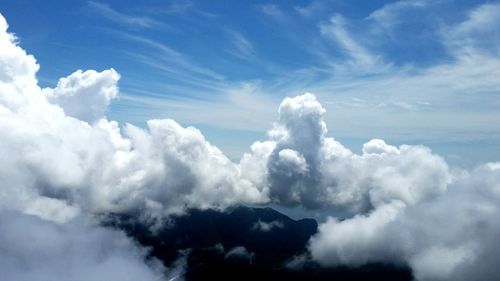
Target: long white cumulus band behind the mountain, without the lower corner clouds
[(61, 149)]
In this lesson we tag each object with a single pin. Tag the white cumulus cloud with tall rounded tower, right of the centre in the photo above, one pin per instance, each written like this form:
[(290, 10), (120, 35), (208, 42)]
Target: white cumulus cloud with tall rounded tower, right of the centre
[(304, 166)]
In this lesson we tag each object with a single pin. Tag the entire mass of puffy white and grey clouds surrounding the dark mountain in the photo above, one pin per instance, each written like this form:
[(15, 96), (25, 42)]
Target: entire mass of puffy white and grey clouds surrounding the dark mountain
[(63, 161)]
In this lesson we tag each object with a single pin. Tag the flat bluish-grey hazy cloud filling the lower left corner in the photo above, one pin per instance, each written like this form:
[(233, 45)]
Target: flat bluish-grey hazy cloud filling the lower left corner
[(36, 249)]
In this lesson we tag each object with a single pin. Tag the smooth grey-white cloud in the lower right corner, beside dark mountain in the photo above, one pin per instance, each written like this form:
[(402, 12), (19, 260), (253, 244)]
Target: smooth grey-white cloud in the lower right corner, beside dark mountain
[(452, 237)]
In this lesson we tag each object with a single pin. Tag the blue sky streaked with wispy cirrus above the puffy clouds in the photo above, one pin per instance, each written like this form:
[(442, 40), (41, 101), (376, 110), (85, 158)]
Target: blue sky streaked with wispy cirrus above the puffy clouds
[(417, 72)]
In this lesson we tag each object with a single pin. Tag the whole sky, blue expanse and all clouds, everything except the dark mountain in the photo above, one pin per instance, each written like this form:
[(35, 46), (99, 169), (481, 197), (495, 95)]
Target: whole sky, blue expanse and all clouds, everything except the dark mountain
[(381, 117)]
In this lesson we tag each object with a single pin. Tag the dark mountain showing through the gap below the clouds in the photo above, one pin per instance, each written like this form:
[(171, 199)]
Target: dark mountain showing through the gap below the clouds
[(244, 244)]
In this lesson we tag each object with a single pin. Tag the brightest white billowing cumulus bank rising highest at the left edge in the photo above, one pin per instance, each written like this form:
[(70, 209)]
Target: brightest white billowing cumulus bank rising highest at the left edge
[(60, 149)]
